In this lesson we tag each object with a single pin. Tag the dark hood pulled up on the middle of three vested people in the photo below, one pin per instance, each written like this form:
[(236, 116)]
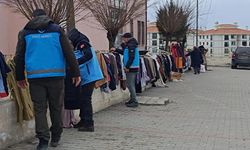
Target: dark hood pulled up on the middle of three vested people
[(76, 37)]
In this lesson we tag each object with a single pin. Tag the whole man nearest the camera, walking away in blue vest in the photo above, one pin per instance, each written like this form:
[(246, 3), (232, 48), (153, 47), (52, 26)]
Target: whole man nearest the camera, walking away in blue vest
[(42, 50)]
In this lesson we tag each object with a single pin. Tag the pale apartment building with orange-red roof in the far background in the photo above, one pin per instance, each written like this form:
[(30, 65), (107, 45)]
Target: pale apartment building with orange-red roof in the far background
[(222, 40)]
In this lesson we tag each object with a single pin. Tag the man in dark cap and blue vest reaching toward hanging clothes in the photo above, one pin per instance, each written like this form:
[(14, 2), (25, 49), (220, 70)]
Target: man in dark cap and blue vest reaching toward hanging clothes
[(131, 60)]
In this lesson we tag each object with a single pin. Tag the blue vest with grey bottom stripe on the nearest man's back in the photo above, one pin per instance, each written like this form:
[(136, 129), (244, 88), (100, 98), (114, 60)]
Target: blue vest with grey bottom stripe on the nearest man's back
[(44, 56)]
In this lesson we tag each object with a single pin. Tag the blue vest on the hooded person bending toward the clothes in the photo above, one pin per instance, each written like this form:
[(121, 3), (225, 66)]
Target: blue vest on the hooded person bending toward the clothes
[(90, 71)]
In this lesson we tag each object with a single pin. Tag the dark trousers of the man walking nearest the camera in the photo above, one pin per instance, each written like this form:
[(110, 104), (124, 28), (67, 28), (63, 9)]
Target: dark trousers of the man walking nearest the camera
[(48, 92)]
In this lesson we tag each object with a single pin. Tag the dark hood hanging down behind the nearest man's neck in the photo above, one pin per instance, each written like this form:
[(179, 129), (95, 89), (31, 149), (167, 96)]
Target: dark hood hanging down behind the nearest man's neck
[(38, 23)]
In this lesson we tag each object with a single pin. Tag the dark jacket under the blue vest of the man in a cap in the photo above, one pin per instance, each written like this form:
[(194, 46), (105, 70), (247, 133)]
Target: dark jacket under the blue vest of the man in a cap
[(132, 44)]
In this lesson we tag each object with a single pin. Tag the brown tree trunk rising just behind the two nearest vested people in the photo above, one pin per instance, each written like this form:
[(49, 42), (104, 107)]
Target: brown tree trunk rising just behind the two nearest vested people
[(71, 20)]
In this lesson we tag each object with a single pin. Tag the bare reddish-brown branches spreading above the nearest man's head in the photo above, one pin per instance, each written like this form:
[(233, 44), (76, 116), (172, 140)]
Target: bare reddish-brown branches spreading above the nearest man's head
[(60, 11)]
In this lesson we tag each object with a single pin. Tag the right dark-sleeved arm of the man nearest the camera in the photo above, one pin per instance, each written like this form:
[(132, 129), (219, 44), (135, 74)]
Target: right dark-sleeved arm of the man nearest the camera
[(69, 55)]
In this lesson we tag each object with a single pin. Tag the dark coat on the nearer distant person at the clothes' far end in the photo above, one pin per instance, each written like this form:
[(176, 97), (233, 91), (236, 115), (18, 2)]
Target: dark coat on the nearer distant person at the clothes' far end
[(196, 57)]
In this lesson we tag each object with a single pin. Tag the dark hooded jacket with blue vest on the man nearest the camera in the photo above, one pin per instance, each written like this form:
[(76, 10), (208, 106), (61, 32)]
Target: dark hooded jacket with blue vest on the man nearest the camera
[(41, 49)]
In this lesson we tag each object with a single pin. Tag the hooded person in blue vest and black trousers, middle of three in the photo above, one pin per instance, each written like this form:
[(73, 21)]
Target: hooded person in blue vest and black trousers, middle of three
[(90, 73)]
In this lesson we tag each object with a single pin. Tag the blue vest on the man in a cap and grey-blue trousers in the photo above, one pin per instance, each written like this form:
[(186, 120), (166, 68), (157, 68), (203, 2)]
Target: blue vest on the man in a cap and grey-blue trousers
[(136, 62)]
